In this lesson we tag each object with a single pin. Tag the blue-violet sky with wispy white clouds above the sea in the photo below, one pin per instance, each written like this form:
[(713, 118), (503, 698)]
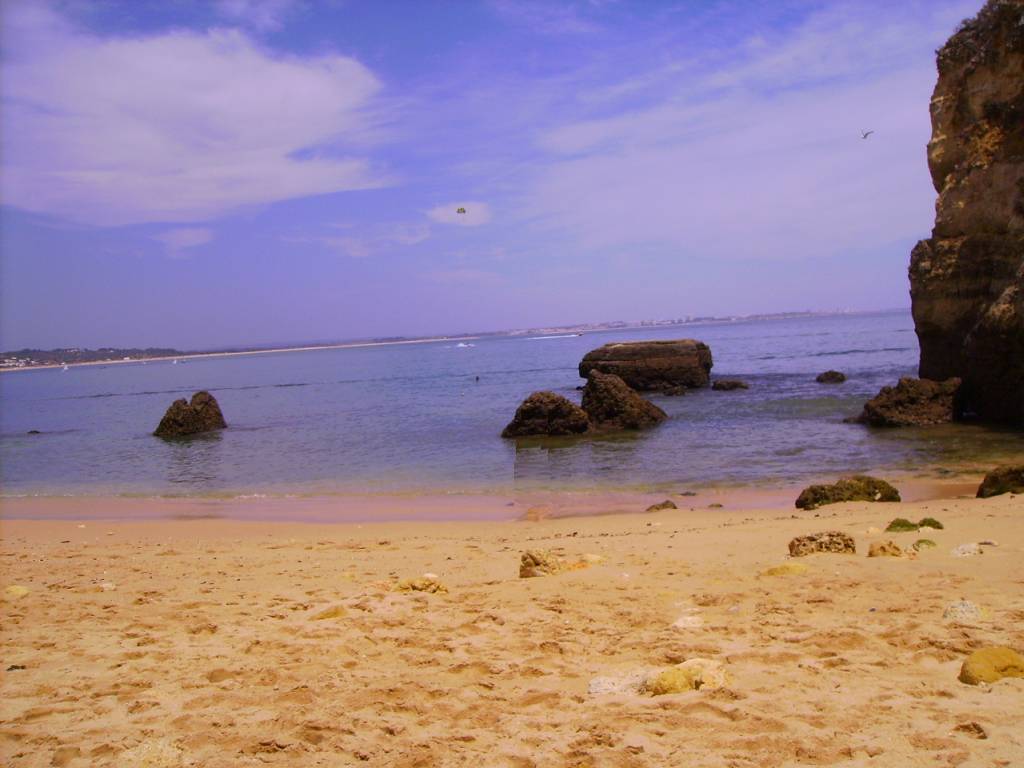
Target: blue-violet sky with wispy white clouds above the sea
[(207, 174)]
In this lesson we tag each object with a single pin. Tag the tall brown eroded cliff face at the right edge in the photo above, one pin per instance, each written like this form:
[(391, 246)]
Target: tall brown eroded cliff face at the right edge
[(967, 281)]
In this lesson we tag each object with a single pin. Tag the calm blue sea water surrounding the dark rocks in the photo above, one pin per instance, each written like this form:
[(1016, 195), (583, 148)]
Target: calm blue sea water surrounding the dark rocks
[(415, 418)]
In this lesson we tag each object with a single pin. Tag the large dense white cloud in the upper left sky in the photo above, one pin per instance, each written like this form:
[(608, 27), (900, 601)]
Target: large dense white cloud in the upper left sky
[(177, 127)]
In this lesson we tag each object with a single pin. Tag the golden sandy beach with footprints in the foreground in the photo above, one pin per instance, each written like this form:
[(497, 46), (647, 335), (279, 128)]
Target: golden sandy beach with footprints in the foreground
[(215, 643)]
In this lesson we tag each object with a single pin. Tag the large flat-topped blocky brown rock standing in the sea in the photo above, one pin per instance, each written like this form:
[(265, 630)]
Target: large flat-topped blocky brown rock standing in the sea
[(653, 366)]
